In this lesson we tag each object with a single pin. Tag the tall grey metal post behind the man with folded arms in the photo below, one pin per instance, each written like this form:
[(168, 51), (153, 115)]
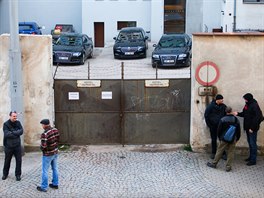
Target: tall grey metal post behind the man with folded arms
[(16, 72)]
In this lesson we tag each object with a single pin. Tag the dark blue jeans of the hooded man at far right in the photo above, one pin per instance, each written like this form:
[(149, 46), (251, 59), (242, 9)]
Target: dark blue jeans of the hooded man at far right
[(252, 143)]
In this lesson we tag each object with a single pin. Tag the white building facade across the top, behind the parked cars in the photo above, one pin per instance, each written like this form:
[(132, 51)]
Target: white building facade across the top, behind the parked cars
[(102, 19)]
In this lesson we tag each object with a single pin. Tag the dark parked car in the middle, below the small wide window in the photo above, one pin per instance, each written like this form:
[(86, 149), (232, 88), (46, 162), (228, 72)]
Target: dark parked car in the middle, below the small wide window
[(131, 42)]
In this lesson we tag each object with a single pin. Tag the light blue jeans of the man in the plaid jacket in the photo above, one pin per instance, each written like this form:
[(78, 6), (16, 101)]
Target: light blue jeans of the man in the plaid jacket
[(48, 161)]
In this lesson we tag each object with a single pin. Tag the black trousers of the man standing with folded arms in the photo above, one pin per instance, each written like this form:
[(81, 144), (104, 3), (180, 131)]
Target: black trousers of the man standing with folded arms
[(9, 152)]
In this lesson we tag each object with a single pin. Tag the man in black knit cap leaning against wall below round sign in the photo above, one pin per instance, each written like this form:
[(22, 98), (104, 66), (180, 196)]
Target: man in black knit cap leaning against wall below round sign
[(213, 113)]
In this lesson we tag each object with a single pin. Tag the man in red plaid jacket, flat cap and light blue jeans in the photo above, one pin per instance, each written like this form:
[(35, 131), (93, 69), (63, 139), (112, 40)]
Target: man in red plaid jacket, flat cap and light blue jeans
[(49, 147)]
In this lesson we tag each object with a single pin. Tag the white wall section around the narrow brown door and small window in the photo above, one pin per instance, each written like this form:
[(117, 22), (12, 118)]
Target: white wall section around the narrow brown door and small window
[(110, 12)]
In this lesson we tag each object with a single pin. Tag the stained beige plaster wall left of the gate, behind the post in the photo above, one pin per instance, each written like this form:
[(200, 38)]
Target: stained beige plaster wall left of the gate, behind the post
[(38, 96)]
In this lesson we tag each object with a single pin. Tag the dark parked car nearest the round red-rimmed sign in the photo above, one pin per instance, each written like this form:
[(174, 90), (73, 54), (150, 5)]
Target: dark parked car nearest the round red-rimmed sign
[(172, 50)]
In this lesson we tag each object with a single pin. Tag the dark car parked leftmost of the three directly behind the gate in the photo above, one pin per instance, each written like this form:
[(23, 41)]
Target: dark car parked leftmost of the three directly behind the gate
[(72, 48)]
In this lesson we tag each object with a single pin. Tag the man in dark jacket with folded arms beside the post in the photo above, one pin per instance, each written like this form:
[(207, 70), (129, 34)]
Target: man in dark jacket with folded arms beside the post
[(12, 131)]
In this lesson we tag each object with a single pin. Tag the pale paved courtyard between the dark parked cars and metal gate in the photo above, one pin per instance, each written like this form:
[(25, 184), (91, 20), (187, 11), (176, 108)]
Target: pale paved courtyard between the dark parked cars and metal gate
[(104, 66)]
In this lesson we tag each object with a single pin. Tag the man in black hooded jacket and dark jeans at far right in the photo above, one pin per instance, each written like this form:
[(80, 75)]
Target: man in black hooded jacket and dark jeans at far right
[(252, 115)]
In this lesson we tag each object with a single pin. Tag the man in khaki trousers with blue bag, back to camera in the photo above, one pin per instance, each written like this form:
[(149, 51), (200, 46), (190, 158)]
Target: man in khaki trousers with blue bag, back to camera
[(223, 126)]
